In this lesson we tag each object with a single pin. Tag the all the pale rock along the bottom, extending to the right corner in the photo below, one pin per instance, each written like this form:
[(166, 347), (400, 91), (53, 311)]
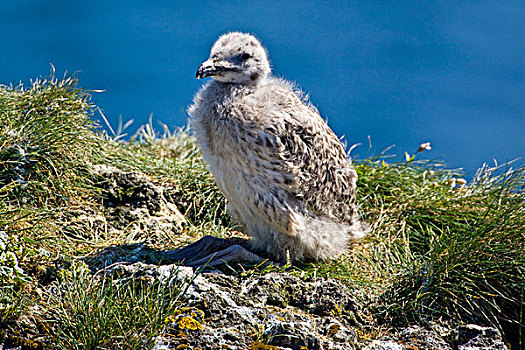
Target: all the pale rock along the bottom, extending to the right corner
[(281, 311)]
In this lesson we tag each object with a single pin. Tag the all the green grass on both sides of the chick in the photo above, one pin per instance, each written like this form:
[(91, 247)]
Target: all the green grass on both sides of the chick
[(434, 251)]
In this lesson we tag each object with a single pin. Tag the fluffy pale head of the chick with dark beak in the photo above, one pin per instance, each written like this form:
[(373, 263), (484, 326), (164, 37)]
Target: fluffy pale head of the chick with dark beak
[(236, 58)]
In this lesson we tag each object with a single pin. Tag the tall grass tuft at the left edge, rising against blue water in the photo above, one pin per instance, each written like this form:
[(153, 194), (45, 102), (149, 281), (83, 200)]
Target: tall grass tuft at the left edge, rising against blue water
[(47, 141)]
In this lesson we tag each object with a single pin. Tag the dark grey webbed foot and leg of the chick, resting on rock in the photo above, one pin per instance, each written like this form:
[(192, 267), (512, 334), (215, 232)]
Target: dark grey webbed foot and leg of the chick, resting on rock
[(213, 251)]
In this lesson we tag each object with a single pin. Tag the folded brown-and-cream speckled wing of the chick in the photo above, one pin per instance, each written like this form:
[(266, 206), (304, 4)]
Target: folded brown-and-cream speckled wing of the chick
[(295, 161)]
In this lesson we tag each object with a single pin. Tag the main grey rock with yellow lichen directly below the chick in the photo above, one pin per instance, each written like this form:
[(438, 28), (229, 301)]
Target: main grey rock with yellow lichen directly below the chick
[(235, 312)]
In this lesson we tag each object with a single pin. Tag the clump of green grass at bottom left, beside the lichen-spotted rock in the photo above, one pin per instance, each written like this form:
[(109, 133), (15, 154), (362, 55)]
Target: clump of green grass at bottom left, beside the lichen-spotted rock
[(86, 312)]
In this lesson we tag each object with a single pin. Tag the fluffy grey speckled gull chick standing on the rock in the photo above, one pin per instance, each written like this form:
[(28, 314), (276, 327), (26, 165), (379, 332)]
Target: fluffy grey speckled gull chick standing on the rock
[(286, 176)]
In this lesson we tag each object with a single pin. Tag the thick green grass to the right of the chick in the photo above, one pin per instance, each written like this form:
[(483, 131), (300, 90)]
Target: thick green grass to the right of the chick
[(439, 252)]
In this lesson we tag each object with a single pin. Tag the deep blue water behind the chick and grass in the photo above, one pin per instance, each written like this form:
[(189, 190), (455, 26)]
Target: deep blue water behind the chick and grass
[(401, 72)]
